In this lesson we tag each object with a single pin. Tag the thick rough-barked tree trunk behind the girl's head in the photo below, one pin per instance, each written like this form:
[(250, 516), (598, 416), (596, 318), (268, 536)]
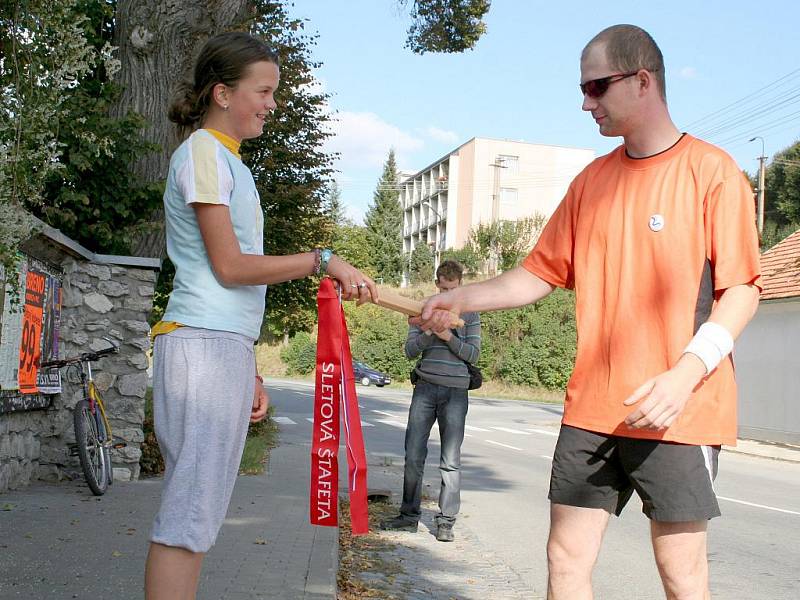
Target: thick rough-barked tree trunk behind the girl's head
[(158, 42)]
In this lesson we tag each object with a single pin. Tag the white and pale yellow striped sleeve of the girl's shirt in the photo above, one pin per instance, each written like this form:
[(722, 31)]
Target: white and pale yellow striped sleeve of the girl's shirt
[(205, 176)]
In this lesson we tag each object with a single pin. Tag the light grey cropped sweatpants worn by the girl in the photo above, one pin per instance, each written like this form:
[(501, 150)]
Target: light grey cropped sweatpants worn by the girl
[(203, 386)]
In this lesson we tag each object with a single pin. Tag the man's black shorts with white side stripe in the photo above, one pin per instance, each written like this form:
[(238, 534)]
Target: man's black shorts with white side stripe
[(674, 481)]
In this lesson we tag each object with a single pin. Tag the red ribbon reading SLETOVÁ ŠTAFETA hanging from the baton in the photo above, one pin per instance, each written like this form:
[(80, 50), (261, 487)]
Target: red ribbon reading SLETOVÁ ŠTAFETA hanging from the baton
[(335, 392)]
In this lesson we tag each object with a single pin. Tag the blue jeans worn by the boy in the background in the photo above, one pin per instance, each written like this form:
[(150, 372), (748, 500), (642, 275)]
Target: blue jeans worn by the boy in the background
[(448, 406)]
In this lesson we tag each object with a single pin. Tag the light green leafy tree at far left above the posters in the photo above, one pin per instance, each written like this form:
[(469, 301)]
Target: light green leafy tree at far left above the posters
[(44, 53)]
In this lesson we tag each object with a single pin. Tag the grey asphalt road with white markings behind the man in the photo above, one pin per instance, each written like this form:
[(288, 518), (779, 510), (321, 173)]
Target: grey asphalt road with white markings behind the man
[(753, 548)]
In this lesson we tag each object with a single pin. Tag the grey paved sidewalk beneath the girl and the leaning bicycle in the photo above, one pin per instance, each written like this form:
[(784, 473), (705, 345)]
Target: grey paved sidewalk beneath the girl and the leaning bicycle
[(59, 541)]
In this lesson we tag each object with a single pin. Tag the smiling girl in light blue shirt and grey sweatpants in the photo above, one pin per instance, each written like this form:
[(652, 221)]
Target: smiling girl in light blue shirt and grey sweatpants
[(205, 386)]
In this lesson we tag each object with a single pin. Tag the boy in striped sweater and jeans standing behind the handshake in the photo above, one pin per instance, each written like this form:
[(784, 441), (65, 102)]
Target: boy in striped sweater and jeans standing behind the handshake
[(440, 394)]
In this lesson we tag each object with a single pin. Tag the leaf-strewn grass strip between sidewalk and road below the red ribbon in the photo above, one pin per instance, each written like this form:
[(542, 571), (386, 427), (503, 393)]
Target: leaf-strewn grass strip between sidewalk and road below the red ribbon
[(365, 555)]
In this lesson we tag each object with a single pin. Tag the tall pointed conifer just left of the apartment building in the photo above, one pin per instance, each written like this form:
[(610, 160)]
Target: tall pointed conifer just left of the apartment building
[(384, 221)]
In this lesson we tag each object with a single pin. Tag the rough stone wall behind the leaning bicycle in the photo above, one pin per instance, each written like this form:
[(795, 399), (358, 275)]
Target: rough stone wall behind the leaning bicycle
[(103, 296)]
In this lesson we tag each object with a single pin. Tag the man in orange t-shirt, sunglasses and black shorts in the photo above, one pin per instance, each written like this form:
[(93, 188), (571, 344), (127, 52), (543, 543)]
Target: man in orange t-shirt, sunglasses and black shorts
[(658, 241)]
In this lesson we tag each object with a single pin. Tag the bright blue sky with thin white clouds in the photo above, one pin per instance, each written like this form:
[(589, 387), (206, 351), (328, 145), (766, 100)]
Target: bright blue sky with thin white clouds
[(520, 81)]
